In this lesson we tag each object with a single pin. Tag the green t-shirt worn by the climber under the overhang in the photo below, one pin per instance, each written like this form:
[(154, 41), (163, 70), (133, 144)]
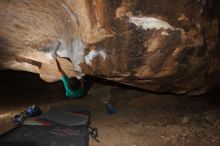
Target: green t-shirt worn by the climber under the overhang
[(69, 92)]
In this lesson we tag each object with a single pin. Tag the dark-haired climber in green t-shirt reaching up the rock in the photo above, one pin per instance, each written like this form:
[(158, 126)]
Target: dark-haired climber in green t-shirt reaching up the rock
[(74, 88)]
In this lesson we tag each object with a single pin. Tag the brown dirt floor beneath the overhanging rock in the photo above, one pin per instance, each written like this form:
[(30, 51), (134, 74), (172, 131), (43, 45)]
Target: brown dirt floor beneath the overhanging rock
[(142, 118)]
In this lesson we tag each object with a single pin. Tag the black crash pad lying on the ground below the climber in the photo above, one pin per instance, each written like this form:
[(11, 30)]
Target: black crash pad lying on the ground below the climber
[(60, 126)]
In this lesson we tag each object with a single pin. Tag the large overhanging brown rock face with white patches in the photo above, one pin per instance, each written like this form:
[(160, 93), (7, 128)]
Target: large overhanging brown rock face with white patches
[(157, 45)]
